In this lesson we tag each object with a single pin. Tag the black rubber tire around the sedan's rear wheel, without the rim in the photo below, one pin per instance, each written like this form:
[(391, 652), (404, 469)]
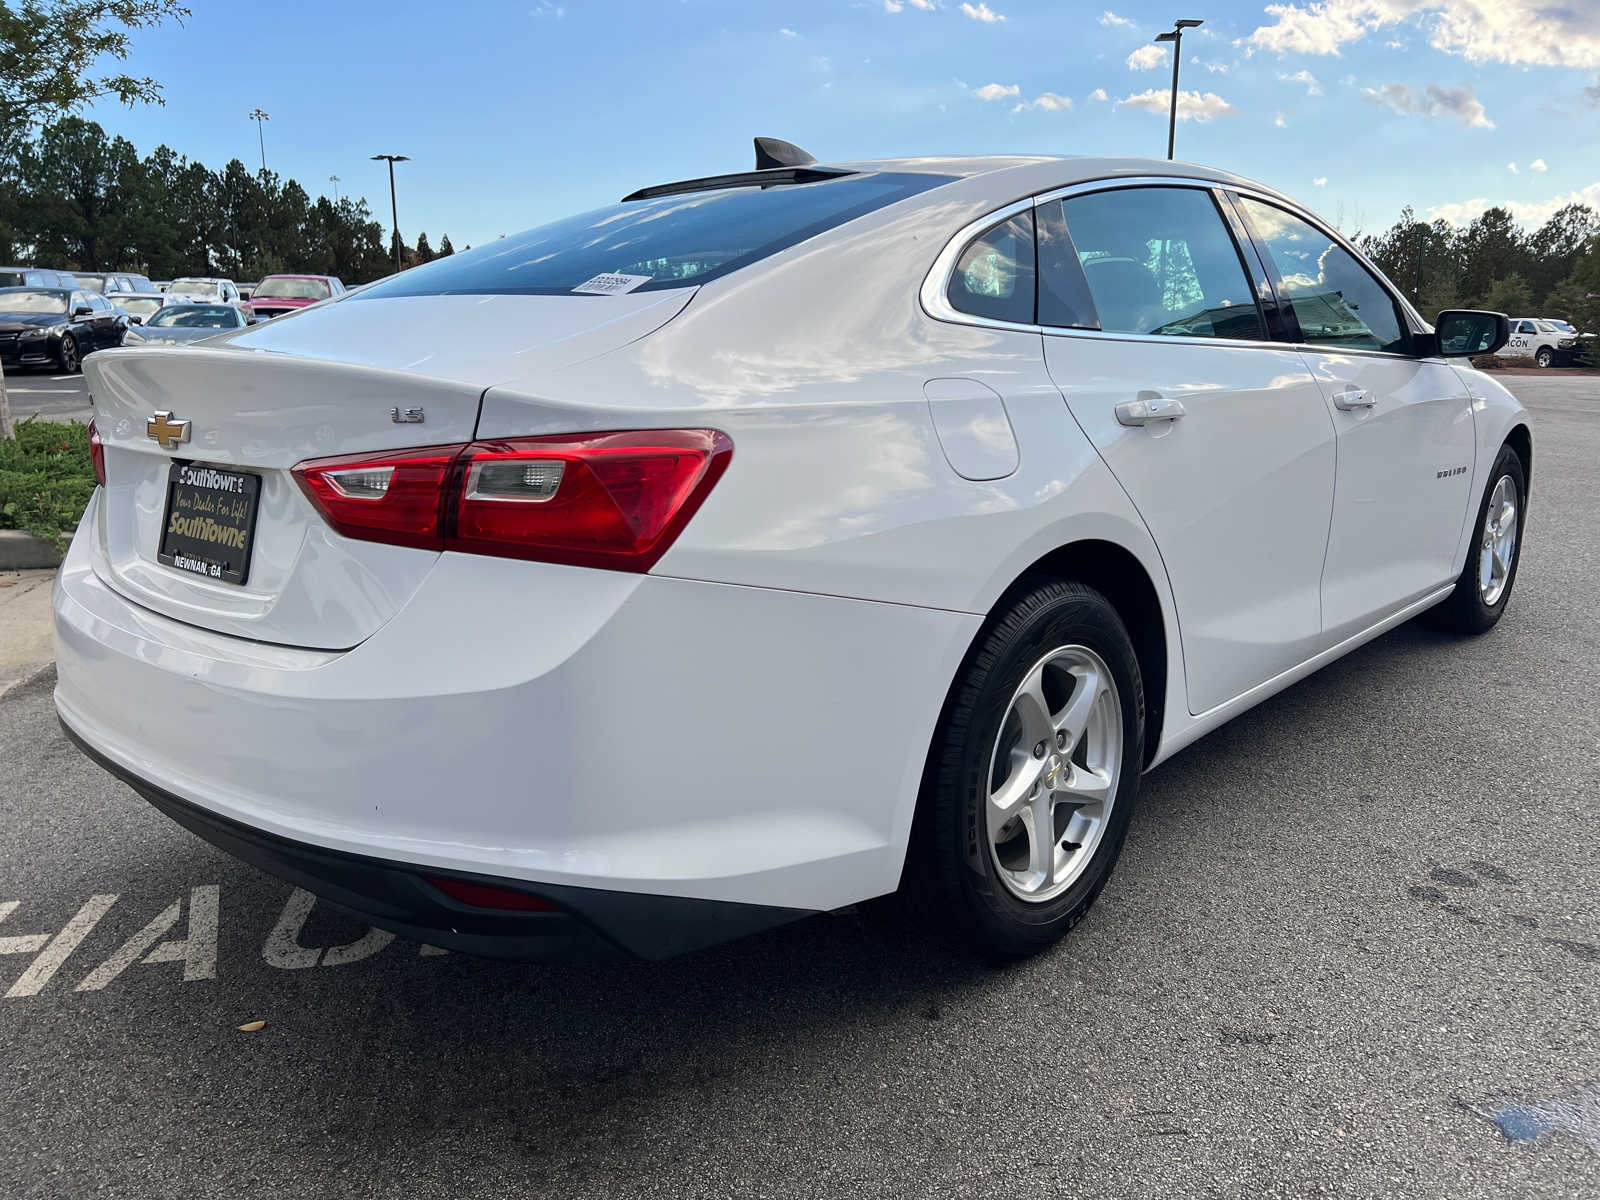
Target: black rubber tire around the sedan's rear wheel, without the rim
[(951, 884)]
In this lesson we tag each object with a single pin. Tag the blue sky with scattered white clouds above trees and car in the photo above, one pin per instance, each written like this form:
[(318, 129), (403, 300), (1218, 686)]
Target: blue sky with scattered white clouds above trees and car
[(516, 114)]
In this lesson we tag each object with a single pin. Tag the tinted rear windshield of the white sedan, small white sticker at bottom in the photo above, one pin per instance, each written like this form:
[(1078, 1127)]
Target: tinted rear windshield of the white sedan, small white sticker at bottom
[(673, 241)]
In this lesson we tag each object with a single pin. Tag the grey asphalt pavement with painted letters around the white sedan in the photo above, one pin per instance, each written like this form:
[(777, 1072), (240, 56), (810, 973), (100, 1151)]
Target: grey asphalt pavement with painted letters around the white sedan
[(1350, 930)]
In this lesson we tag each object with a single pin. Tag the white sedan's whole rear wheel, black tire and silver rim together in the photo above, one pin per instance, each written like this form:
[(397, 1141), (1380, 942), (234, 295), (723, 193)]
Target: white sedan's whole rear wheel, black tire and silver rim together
[(1033, 775)]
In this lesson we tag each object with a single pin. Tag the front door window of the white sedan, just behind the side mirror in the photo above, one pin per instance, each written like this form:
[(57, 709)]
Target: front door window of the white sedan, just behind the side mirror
[(1335, 300)]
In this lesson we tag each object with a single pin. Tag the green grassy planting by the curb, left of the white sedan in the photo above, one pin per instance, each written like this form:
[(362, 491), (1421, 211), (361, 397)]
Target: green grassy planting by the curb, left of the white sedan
[(47, 479)]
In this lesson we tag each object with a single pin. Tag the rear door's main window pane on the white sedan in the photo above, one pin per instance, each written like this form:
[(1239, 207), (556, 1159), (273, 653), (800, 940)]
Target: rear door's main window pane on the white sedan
[(1161, 262)]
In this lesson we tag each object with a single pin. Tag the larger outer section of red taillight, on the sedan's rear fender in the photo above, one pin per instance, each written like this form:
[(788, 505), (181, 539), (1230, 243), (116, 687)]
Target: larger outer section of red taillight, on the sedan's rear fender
[(612, 500)]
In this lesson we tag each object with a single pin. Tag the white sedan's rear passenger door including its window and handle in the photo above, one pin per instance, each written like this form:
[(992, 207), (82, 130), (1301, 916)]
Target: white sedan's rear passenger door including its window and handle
[(1238, 490)]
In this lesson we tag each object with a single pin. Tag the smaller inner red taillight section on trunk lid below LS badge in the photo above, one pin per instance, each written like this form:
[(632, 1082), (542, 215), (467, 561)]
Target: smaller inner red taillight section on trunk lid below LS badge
[(383, 498)]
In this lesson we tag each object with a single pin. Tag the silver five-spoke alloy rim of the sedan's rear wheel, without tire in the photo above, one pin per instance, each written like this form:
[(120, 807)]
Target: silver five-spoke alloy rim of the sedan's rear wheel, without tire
[(1054, 774)]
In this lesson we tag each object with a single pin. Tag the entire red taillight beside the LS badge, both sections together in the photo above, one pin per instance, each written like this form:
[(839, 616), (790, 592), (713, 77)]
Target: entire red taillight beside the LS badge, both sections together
[(607, 500)]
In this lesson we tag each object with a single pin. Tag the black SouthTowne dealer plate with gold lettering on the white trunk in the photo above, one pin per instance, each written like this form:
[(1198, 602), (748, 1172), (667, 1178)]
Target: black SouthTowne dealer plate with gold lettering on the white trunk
[(210, 522)]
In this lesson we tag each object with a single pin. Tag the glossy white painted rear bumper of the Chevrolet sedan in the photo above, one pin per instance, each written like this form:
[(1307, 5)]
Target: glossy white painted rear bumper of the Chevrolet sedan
[(540, 724)]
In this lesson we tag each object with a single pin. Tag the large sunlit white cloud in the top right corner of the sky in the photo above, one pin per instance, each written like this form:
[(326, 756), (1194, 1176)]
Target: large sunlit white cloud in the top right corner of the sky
[(1481, 31)]
